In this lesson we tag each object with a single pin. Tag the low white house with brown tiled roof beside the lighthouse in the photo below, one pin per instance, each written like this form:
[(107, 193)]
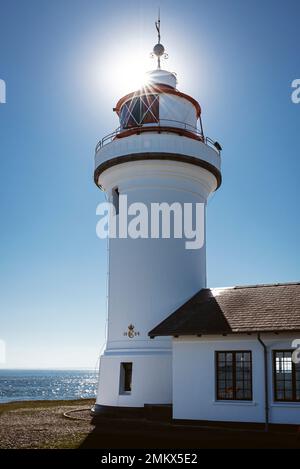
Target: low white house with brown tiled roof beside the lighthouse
[(234, 348)]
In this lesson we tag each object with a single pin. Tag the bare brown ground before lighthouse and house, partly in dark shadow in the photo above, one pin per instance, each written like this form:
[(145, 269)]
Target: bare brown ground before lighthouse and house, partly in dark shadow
[(42, 424)]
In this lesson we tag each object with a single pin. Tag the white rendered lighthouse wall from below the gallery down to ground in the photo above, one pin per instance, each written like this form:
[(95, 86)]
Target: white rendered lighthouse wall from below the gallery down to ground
[(148, 279)]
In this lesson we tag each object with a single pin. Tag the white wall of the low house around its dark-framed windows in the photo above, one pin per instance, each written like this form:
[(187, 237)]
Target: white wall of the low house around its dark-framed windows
[(194, 389)]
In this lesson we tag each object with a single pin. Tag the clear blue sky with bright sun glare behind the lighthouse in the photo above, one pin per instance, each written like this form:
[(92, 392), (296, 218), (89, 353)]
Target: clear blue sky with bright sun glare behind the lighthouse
[(65, 64)]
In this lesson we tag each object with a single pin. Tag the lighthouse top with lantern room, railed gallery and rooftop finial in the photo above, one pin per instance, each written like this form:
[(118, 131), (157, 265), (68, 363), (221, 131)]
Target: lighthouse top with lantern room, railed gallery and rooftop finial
[(158, 120)]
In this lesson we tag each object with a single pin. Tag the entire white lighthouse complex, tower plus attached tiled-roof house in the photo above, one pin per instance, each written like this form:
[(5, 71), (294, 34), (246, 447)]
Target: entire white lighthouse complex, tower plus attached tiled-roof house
[(211, 358)]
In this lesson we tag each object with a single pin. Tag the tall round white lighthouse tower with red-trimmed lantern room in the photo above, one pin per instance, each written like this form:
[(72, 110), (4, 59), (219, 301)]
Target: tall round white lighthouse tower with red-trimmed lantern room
[(158, 154)]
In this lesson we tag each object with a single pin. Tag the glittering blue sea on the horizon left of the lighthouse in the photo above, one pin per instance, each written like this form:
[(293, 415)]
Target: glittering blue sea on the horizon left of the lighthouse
[(27, 385)]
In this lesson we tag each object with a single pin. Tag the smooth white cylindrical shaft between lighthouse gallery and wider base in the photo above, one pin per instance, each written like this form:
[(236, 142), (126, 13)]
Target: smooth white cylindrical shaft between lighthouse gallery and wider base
[(151, 278)]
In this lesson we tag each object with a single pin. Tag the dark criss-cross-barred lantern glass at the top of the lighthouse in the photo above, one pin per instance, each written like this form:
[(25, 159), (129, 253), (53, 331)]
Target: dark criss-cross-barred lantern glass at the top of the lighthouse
[(140, 110)]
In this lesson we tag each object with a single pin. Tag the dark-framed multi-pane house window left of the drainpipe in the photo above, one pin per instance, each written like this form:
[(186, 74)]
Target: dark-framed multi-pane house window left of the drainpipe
[(234, 375)]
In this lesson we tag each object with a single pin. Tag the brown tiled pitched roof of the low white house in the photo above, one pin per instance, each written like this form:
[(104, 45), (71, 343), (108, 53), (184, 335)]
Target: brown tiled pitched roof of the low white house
[(245, 309)]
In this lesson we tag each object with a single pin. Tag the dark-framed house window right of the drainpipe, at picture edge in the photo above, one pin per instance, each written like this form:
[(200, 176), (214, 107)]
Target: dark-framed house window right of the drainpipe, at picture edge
[(286, 375)]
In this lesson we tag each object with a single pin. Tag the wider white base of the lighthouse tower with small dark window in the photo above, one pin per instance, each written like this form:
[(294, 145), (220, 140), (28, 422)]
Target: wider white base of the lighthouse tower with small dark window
[(131, 379)]
